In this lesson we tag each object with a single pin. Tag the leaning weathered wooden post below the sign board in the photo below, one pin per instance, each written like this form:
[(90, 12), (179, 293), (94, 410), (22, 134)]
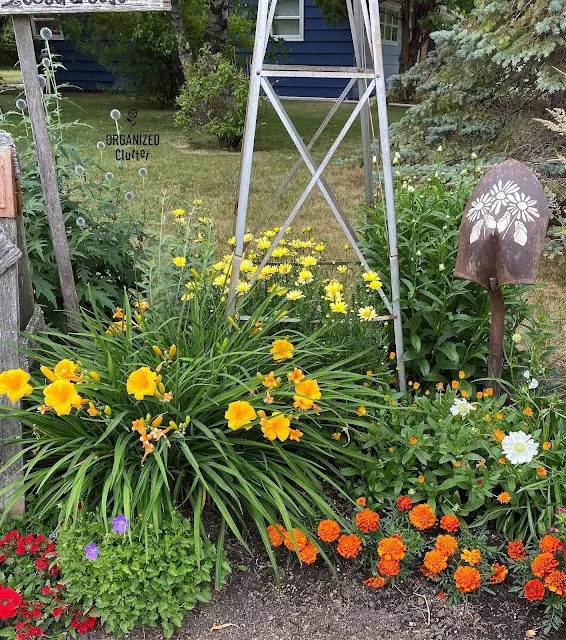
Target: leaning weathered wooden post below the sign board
[(28, 65)]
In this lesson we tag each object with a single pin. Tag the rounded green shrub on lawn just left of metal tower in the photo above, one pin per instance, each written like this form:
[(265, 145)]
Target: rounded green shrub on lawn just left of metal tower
[(214, 100)]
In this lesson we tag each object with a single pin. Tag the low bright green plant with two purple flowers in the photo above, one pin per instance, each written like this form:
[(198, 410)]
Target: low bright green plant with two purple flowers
[(133, 581)]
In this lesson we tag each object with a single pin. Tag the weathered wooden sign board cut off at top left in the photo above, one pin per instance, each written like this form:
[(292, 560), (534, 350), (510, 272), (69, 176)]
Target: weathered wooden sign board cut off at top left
[(39, 7)]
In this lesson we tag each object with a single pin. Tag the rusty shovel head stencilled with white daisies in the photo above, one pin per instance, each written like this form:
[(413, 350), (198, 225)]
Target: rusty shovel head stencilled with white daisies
[(503, 227)]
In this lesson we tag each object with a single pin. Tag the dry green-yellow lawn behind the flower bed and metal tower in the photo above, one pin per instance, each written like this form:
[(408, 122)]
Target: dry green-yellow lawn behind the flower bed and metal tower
[(188, 169)]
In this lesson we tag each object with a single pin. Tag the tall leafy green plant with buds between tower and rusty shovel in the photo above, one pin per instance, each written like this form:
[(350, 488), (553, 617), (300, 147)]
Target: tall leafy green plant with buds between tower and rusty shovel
[(445, 320)]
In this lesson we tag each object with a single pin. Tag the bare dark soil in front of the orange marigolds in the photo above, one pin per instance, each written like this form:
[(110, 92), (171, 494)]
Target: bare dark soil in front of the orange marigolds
[(311, 605)]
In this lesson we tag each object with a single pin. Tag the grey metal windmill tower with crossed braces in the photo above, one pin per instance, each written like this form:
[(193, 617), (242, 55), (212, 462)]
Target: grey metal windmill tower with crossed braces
[(370, 79)]
